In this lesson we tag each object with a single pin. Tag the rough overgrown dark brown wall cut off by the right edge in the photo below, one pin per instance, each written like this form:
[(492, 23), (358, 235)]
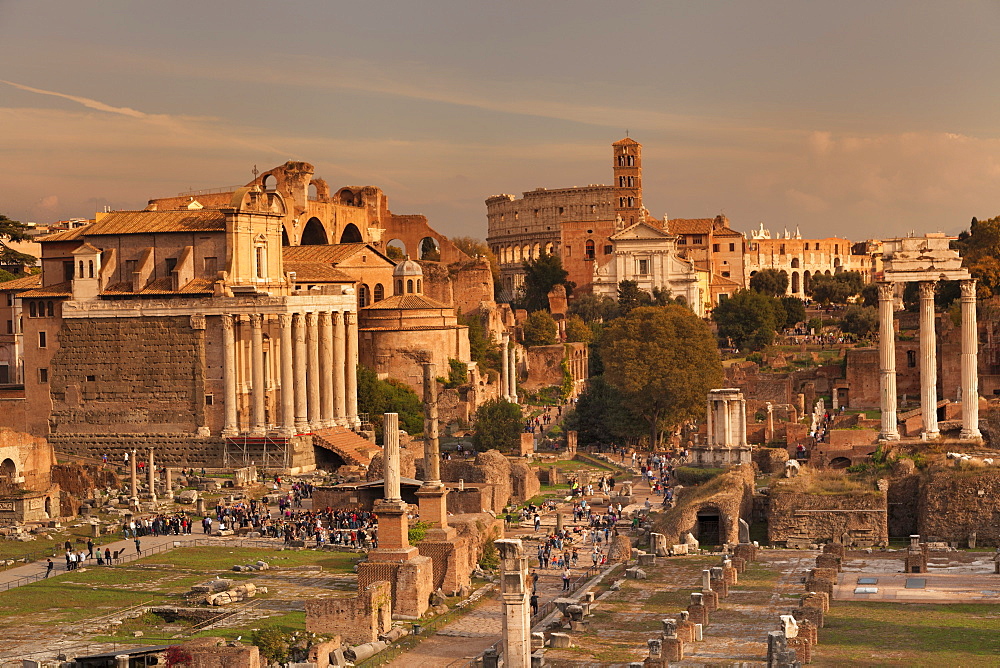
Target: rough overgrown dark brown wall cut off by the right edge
[(954, 504)]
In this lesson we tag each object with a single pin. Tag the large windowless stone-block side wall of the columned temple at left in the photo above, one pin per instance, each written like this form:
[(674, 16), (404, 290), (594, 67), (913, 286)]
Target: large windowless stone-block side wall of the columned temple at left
[(141, 375)]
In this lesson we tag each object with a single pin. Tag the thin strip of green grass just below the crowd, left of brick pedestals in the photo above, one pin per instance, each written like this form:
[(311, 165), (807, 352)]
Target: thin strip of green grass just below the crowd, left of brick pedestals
[(207, 559)]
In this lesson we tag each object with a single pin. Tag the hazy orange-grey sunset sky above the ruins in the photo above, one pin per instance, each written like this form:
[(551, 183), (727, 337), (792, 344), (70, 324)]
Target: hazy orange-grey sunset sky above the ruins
[(848, 118)]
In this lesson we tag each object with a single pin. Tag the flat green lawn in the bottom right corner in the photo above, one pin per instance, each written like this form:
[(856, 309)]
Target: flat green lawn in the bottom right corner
[(888, 634)]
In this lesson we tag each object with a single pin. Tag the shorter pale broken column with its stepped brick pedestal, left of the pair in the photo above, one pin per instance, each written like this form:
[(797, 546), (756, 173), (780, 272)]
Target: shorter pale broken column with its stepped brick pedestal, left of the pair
[(395, 560)]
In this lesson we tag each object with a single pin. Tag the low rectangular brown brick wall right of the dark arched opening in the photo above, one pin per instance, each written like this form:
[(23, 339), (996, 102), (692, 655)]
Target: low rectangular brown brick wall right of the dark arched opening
[(851, 518)]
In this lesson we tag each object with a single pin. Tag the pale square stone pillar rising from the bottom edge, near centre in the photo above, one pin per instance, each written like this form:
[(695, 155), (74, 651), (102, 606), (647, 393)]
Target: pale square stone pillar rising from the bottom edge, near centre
[(514, 592)]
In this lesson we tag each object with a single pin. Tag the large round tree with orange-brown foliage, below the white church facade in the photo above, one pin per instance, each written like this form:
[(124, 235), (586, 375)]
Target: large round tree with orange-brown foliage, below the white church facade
[(663, 361)]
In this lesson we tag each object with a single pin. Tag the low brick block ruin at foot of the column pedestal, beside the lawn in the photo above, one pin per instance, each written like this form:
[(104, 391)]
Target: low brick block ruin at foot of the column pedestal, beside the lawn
[(357, 620)]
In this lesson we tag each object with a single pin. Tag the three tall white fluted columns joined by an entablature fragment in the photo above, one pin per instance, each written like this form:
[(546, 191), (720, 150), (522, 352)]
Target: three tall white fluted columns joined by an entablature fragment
[(925, 261)]
